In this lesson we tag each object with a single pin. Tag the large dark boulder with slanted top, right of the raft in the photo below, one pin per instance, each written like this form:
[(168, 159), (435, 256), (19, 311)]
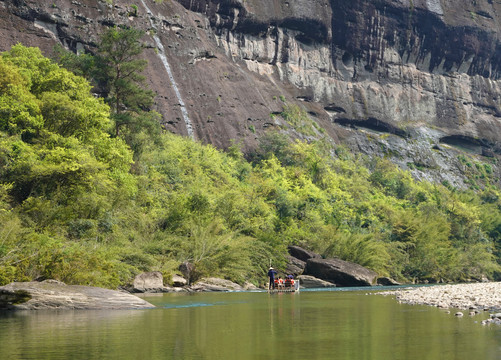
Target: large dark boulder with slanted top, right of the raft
[(340, 272)]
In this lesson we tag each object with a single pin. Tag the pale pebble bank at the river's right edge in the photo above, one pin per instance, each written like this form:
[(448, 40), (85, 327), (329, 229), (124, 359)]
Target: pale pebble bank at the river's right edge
[(478, 296)]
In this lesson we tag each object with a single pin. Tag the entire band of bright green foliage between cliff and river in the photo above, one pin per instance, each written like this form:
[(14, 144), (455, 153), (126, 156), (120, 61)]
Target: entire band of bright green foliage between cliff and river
[(75, 206)]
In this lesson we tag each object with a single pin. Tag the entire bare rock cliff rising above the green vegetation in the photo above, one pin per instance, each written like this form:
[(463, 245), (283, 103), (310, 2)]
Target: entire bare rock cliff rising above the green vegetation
[(416, 81)]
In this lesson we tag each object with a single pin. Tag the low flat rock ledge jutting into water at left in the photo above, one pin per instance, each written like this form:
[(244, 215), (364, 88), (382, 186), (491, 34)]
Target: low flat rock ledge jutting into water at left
[(52, 294)]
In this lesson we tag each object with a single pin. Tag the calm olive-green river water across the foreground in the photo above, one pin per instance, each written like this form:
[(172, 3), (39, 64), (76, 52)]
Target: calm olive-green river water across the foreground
[(307, 325)]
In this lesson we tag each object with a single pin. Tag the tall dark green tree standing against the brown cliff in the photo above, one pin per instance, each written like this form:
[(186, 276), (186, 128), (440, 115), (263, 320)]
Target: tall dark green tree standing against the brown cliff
[(116, 72)]
